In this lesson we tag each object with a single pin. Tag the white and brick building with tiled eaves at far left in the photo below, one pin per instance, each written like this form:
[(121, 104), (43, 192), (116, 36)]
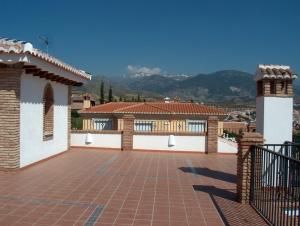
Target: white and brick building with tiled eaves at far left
[(35, 104)]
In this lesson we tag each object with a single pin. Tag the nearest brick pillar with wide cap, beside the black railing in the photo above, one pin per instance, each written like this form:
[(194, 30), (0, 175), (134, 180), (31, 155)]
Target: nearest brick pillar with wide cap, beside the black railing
[(244, 164)]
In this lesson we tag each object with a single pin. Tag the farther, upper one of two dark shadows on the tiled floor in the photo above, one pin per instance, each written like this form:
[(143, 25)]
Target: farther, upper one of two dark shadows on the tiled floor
[(210, 173)]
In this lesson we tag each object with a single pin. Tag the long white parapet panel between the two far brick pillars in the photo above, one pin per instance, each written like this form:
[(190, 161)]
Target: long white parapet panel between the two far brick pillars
[(160, 142)]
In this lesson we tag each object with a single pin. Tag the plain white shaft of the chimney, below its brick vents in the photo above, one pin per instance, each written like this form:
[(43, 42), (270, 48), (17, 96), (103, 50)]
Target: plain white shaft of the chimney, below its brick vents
[(275, 119)]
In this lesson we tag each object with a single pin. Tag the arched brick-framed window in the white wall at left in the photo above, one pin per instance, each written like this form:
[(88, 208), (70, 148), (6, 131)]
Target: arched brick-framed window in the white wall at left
[(48, 116)]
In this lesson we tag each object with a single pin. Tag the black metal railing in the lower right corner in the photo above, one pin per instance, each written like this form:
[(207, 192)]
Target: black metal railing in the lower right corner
[(275, 183)]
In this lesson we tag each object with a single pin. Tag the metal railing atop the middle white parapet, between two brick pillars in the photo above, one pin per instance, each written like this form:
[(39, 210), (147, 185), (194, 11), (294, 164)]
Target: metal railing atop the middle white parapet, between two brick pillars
[(177, 126)]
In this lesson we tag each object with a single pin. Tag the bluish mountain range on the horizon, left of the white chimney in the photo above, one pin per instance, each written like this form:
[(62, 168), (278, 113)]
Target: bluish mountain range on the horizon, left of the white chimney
[(218, 86)]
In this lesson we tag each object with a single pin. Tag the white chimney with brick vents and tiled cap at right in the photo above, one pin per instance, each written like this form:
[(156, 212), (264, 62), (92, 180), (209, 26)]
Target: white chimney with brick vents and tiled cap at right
[(274, 103)]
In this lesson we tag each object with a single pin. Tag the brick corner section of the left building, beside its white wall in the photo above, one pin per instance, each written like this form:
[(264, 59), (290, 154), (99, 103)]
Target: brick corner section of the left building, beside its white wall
[(10, 82)]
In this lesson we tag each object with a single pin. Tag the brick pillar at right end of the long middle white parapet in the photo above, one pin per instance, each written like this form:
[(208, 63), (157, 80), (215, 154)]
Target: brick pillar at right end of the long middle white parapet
[(212, 135)]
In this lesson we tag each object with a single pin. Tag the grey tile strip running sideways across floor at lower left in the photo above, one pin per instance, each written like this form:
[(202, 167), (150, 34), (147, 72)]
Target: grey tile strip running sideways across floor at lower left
[(36, 201)]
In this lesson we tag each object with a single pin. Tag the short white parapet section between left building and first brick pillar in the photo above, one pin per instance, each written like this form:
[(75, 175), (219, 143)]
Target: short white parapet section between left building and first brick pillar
[(98, 140)]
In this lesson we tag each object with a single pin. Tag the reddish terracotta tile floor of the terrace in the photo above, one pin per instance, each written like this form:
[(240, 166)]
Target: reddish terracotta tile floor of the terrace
[(92, 187)]
